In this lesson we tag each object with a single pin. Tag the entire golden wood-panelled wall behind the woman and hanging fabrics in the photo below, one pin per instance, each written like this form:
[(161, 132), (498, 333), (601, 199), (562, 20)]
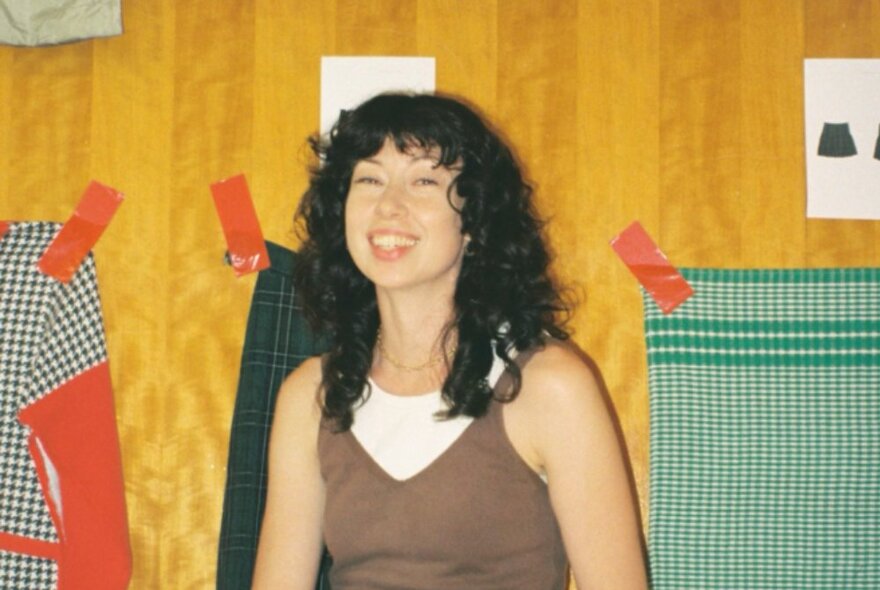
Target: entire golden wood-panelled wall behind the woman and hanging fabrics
[(685, 115)]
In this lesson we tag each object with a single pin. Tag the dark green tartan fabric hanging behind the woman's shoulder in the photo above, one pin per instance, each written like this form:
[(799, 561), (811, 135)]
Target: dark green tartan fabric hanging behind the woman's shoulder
[(278, 339)]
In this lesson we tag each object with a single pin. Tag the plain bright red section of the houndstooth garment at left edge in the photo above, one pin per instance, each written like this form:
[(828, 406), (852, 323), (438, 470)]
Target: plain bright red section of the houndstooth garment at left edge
[(75, 445)]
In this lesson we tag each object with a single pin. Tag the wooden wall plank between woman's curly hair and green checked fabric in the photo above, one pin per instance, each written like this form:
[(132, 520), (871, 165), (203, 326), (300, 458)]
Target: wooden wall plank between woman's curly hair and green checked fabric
[(617, 182)]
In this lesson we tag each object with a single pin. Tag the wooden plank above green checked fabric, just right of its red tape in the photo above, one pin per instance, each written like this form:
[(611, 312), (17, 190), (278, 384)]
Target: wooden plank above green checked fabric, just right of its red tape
[(700, 151)]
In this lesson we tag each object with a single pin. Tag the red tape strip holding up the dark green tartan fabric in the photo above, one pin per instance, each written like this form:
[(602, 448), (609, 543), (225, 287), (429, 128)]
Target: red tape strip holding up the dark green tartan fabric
[(244, 238)]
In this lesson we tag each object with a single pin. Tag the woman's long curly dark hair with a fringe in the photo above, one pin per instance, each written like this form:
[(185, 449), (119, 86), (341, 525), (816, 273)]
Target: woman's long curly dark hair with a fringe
[(504, 294)]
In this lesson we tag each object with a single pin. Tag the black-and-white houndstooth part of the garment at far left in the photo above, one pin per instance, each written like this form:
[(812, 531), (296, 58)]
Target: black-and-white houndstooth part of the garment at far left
[(49, 333)]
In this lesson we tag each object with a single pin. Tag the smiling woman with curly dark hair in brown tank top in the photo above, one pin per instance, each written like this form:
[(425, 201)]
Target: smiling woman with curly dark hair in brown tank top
[(449, 438)]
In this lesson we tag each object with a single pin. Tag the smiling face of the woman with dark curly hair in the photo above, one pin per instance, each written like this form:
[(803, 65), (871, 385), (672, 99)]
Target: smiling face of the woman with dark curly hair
[(400, 228)]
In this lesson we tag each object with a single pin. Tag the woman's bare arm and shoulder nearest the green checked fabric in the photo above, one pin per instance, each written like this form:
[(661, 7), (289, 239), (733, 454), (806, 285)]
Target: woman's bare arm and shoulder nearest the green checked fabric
[(575, 442)]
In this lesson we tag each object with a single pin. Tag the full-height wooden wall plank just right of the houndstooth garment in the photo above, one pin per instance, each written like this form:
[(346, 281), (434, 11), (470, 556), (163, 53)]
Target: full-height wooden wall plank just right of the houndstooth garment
[(131, 150)]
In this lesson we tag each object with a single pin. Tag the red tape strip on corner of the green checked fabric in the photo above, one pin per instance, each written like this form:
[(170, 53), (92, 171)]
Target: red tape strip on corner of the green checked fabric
[(651, 267)]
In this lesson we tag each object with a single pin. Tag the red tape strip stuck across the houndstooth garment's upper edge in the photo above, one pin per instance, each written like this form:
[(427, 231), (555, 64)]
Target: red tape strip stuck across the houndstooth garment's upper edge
[(81, 232)]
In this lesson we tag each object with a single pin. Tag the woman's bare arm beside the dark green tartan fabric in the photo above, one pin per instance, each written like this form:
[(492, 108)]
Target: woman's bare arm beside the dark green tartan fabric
[(290, 546)]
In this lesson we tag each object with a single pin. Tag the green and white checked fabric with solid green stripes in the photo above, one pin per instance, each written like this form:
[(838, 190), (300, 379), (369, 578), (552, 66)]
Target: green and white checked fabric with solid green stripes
[(765, 432)]
